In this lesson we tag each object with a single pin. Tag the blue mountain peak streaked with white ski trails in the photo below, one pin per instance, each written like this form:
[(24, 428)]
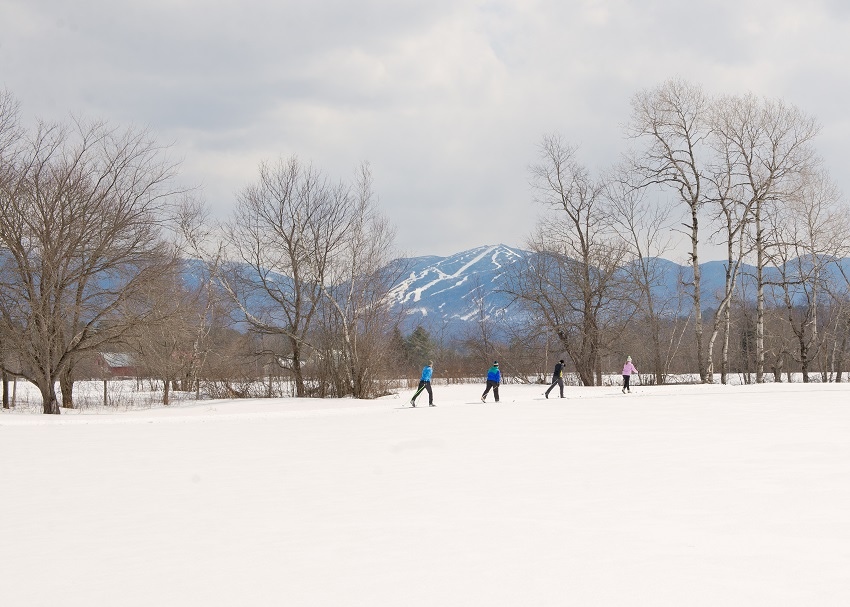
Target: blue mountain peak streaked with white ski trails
[(448, 292)]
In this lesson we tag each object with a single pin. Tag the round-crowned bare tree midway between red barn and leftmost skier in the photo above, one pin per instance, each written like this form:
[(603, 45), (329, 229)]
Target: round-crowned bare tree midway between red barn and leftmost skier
[(289, 235)]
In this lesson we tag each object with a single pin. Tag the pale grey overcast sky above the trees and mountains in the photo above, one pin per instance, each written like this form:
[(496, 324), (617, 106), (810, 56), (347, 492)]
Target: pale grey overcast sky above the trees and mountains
[(446, 99)]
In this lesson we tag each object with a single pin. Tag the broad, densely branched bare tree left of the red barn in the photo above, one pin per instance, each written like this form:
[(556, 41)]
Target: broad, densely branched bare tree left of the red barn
[(81, 221)]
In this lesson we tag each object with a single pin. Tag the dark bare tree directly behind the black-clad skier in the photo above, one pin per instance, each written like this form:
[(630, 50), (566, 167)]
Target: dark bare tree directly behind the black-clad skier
[(571, 281)]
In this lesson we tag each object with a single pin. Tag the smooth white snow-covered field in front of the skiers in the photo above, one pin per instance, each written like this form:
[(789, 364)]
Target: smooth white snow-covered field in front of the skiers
[(682, 495)]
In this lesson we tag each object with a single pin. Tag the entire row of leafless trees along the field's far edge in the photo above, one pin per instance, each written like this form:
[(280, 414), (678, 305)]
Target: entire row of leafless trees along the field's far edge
[(101, 250)]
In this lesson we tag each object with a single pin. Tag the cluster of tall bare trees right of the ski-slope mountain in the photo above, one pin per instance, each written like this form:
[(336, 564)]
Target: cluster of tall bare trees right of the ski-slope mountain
[(738, 171)]
